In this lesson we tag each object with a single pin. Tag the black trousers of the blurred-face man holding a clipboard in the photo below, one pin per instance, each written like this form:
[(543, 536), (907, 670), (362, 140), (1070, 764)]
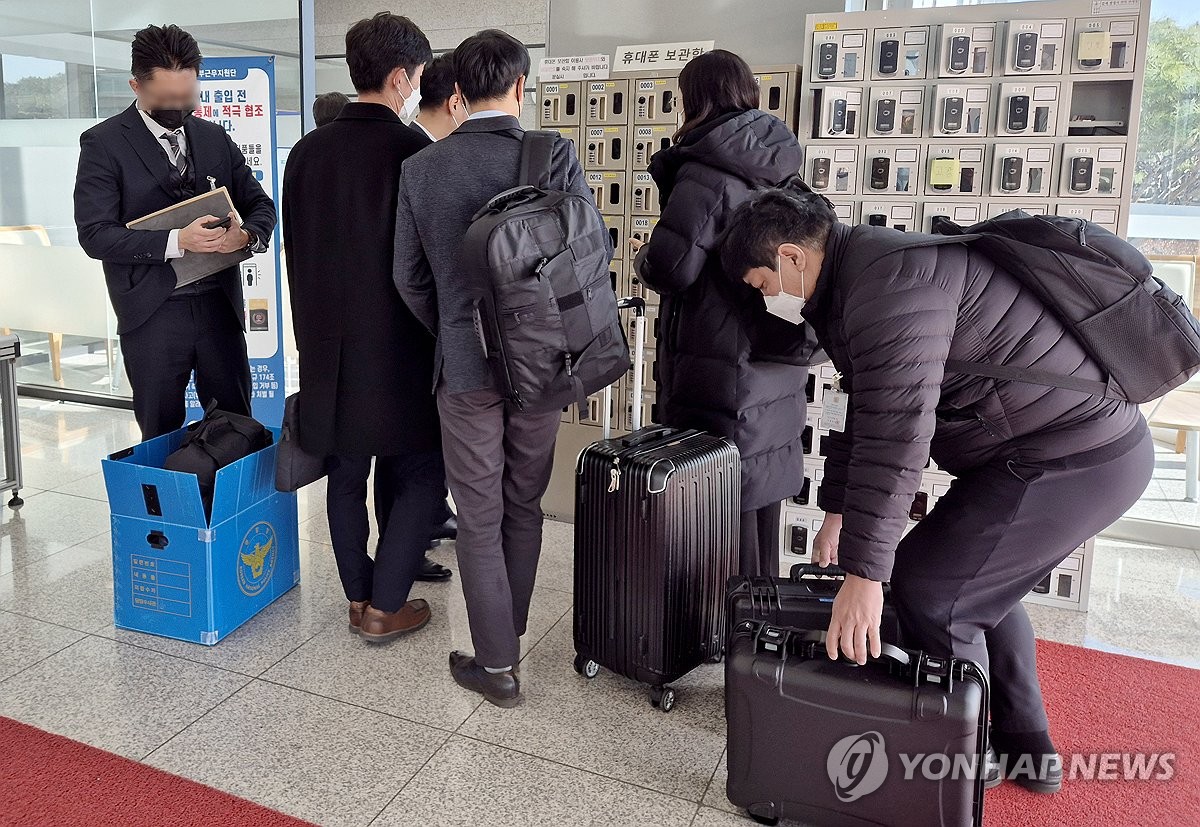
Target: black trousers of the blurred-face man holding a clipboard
[(200, 333)]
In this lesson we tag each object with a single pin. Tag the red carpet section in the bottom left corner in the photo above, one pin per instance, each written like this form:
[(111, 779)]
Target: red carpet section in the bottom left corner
[(47, 780)]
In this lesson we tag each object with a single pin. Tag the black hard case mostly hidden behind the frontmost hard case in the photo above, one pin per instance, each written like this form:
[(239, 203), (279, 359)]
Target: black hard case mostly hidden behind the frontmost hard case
[(801, 602)]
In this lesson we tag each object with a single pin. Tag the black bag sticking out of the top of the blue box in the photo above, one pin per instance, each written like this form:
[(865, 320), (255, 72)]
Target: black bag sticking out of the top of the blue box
[(215, 442)]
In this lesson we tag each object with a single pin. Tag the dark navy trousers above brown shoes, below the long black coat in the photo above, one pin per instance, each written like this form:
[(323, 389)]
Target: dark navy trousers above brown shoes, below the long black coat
[(409, 492)]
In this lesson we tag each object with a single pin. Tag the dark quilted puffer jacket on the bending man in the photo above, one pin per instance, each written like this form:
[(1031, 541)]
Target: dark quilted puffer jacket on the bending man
[(890, 319)]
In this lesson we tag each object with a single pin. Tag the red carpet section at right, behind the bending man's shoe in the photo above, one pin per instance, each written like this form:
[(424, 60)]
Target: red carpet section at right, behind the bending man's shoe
[(1101, 703)]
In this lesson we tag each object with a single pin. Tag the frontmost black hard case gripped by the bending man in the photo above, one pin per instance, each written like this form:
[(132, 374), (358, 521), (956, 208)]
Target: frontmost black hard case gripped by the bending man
[(901, 741)]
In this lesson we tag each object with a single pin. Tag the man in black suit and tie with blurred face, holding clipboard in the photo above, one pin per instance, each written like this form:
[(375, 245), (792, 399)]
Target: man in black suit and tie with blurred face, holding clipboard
[(154, 155)]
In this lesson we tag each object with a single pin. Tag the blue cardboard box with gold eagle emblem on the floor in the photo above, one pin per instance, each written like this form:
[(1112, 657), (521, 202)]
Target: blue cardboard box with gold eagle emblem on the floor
[(181, 574)]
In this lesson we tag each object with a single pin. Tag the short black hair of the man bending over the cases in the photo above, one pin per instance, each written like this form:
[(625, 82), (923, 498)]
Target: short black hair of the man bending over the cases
[(775, 218)]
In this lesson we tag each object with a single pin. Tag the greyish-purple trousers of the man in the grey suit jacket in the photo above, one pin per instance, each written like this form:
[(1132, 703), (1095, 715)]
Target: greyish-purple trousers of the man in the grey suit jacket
[(499, 464)]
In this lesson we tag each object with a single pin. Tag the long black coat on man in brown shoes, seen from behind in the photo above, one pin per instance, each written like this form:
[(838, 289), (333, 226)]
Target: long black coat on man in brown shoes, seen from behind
[(367, 364)]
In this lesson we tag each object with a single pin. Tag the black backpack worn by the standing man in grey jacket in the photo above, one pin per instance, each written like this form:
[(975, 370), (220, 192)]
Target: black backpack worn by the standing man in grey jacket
[(547, 313)]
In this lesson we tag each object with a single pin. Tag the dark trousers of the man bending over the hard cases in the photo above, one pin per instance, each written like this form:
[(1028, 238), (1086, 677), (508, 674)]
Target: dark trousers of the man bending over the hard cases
[(961, 574)]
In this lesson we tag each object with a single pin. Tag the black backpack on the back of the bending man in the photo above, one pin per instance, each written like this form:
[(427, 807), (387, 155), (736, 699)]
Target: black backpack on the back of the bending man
[(1136, 328)]
